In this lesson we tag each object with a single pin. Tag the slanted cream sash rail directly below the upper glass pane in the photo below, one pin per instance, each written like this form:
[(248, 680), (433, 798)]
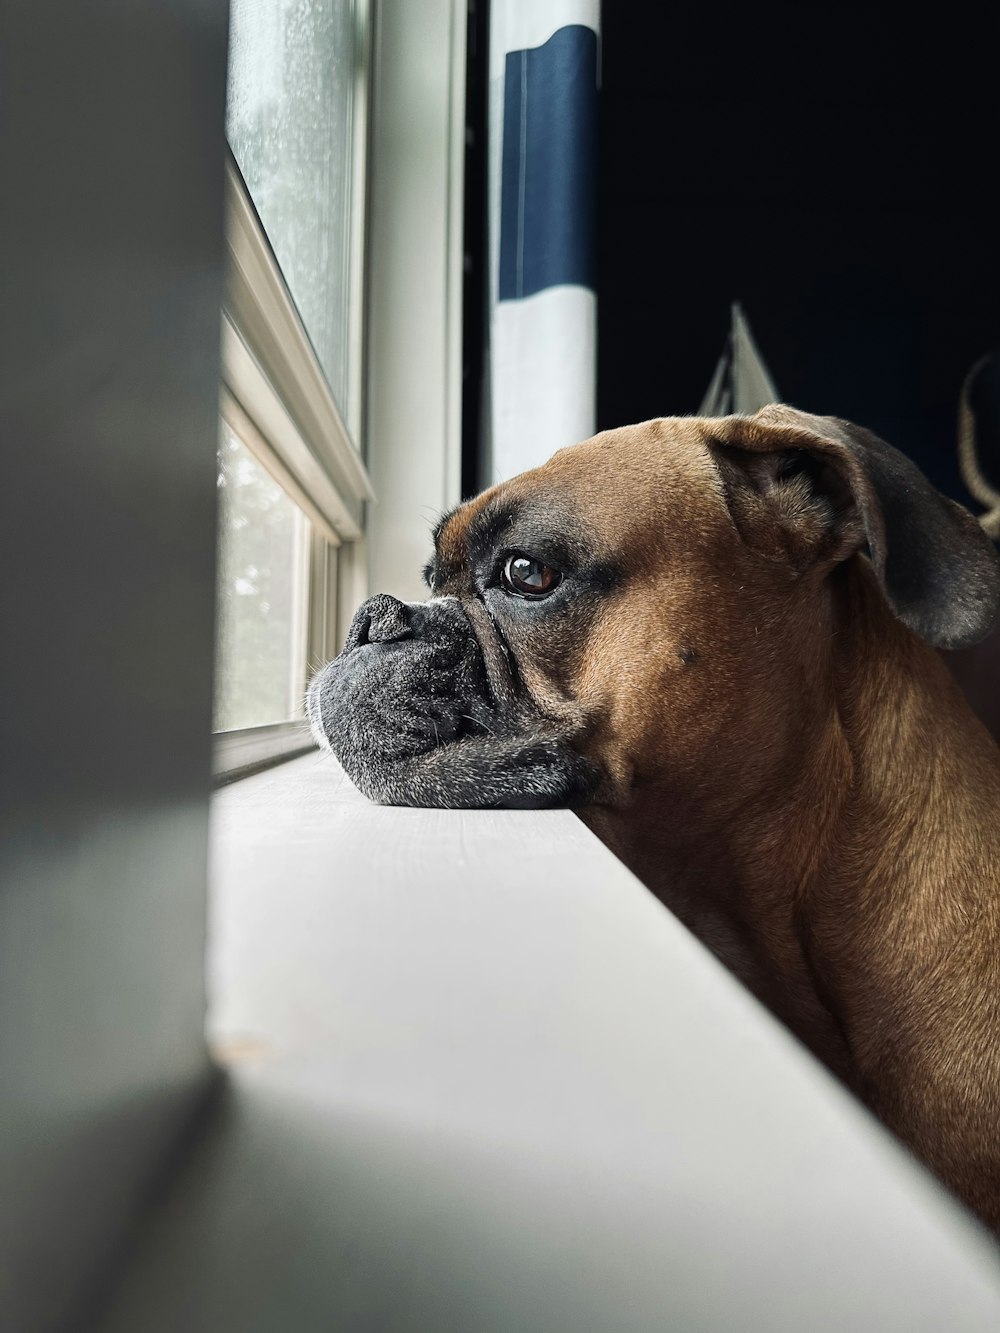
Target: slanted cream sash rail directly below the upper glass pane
[(259, 305)]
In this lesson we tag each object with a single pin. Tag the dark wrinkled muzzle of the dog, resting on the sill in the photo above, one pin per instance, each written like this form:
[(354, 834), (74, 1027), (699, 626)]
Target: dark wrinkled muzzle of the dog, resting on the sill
[(425, 708)]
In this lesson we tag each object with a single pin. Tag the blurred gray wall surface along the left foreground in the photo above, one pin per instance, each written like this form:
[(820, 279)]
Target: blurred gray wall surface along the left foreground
[(111, 171)]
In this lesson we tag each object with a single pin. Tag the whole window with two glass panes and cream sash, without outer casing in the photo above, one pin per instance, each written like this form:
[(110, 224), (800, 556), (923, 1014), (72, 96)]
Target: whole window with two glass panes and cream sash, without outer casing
[(293, 485)]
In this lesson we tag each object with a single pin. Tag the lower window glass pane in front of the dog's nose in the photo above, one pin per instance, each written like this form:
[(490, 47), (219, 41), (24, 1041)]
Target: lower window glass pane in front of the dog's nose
[(261, 618)]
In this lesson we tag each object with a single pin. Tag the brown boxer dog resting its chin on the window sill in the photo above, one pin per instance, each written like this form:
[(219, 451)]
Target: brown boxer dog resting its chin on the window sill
[(713, 638)]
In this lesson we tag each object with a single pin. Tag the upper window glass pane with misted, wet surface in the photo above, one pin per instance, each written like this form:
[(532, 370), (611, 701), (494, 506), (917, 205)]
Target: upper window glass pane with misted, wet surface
[(289, 121)]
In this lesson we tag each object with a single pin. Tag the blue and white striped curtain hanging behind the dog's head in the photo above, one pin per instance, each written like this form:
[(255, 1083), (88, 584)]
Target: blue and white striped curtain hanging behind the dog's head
[(543, 169)]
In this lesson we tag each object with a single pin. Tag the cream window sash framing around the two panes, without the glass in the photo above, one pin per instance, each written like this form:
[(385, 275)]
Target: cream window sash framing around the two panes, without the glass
[(277, 399)]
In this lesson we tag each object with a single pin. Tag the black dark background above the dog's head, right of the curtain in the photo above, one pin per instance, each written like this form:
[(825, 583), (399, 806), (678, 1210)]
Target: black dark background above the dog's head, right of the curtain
[(830, 166)]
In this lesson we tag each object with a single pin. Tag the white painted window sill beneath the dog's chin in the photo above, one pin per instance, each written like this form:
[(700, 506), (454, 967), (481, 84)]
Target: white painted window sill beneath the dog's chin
[(485, 1080)]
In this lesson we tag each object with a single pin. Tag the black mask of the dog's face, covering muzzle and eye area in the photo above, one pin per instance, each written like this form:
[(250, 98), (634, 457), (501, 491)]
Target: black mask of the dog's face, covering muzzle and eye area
[(427, 704)]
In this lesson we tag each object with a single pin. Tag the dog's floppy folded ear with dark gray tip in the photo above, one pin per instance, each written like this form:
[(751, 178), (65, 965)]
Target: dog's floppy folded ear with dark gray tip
[(814, 490)]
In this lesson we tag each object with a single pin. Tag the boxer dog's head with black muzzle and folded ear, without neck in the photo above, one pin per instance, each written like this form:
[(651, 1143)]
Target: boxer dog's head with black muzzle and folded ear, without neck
[(639, 603)]
